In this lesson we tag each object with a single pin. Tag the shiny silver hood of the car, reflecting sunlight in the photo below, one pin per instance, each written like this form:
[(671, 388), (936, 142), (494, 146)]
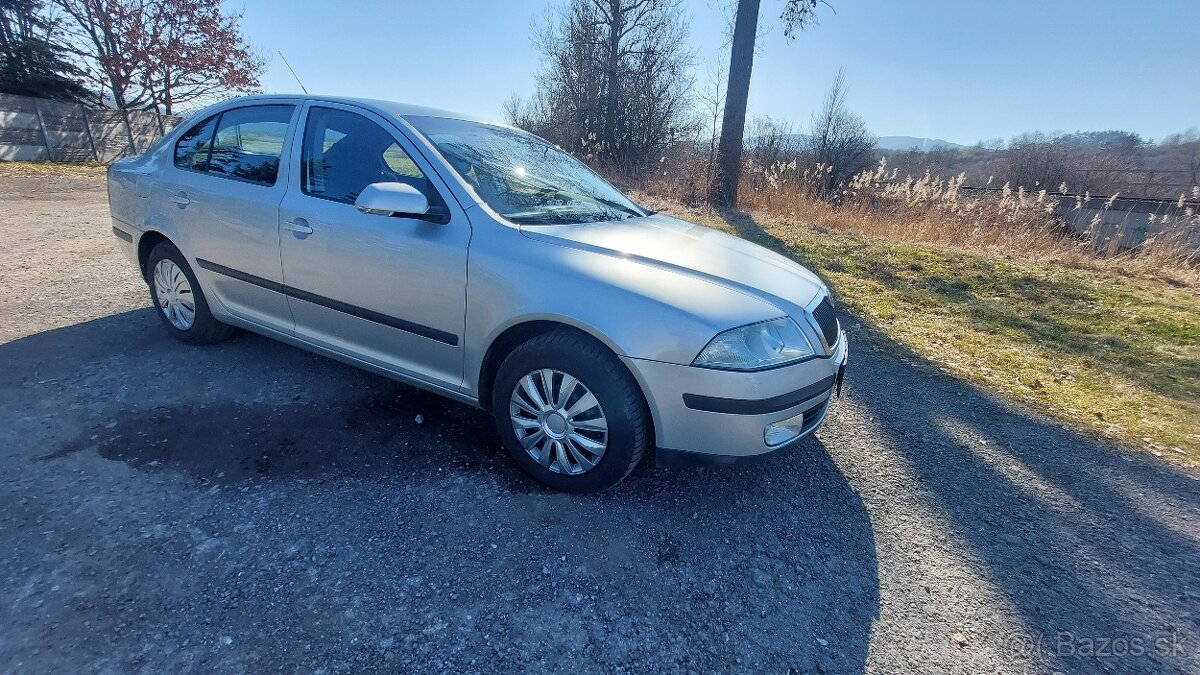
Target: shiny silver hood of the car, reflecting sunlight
[(686, 248)]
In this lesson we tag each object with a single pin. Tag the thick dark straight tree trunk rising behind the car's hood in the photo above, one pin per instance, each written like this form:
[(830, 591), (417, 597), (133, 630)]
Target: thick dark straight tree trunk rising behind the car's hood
[(735, 122)]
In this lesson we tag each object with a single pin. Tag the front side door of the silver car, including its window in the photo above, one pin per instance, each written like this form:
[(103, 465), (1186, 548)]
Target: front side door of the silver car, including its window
[(385, 290)]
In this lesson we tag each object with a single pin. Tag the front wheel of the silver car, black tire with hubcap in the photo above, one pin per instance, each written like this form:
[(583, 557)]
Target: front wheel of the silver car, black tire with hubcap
[(621, 409)]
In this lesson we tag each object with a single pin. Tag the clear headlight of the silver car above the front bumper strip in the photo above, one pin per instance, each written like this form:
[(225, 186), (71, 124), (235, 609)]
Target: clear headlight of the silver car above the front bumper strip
[(757, 347)]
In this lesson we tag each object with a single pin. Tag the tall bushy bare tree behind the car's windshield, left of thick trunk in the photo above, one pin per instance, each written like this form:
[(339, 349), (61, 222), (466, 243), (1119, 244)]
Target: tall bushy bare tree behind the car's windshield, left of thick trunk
[(616, 83)]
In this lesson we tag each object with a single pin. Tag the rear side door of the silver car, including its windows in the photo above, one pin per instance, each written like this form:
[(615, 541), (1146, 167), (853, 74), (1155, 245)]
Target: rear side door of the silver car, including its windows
[(224, 193)]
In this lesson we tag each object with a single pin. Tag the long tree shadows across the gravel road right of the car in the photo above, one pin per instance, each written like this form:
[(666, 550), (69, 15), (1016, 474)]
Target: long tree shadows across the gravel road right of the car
[(1090, 543)]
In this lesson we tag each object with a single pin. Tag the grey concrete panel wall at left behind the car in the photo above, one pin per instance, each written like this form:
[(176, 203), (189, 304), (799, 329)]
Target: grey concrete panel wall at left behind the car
[(44, 130)]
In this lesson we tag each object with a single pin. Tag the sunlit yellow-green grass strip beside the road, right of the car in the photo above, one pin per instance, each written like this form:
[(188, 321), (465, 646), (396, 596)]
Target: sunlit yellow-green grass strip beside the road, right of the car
[(1112, 355)]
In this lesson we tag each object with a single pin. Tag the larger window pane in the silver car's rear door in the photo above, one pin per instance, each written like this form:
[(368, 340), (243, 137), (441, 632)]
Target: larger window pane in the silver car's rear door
[(249, 144)]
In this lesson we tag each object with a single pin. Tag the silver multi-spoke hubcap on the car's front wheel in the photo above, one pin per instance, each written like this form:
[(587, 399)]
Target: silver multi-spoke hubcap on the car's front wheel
[(559, 422)]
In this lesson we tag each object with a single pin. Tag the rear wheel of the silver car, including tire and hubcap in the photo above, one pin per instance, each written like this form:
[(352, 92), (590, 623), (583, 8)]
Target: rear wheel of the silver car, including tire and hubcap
[(205, 328)]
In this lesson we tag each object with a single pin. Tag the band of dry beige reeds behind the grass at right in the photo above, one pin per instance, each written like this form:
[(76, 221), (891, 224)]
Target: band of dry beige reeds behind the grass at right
[(1012, 223)]
